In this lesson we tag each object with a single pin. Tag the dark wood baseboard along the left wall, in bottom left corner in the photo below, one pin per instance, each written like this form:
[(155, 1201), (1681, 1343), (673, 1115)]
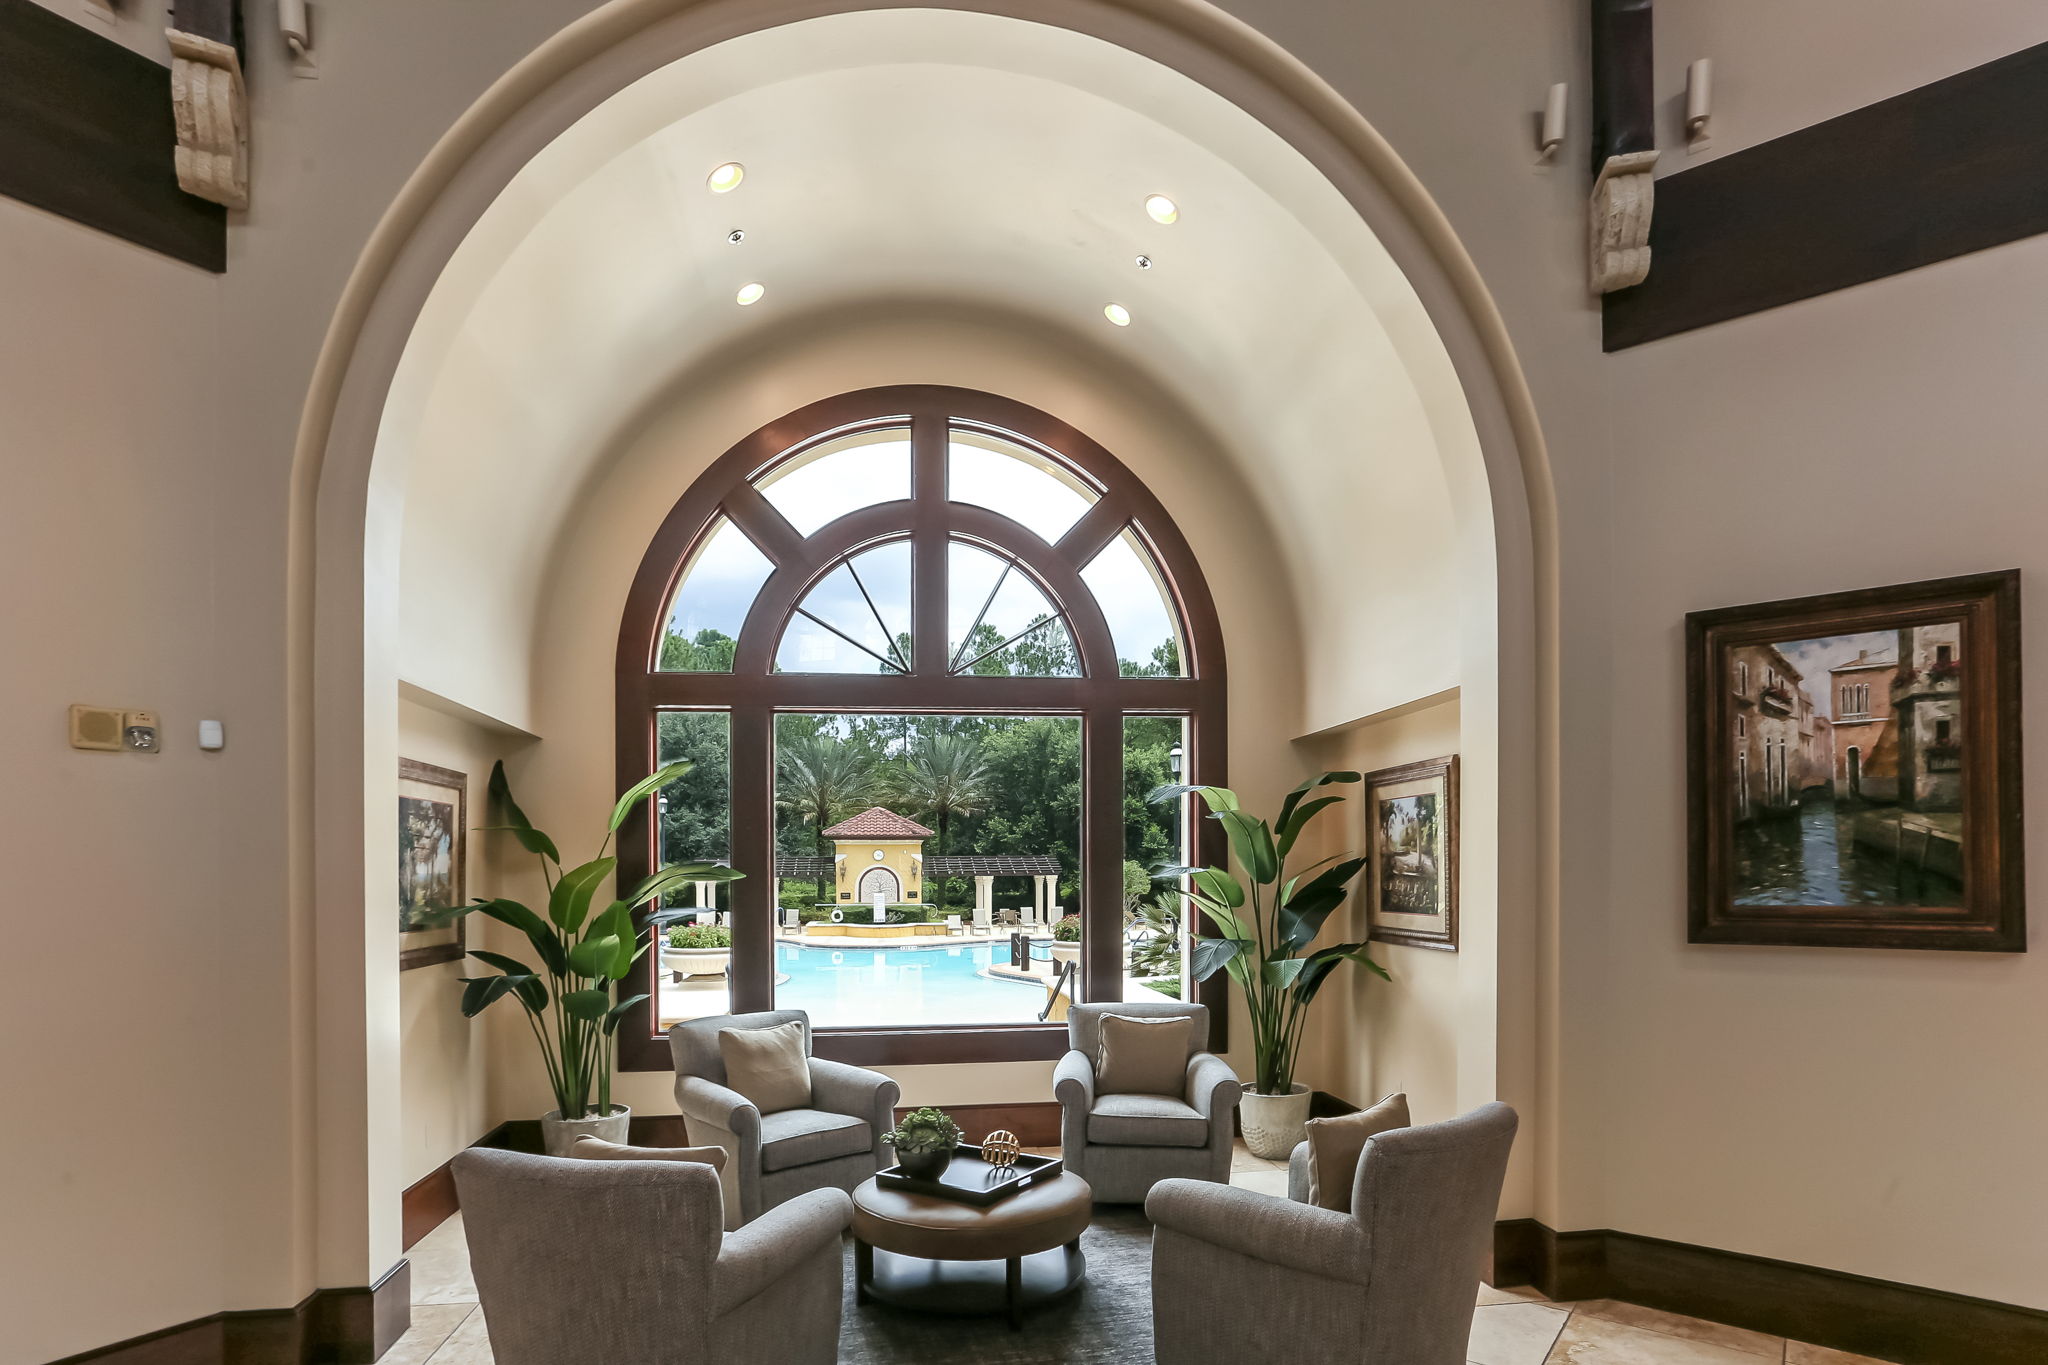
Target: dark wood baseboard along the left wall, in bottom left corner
[(331, 1327)]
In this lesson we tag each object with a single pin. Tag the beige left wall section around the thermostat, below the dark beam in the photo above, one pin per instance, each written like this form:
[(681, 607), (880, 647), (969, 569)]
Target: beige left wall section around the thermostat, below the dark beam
[(134, 946)]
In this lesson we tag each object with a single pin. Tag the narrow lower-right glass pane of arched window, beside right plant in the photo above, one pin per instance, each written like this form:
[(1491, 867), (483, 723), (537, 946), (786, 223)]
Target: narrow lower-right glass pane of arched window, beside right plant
[(1156, 930)]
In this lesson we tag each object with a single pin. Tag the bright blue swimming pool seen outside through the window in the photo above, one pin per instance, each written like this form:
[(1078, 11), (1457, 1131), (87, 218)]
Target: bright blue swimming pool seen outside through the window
[(902, 985)]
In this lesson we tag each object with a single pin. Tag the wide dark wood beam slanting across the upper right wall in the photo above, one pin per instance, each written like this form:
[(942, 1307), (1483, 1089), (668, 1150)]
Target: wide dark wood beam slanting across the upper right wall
[(1922, 177)]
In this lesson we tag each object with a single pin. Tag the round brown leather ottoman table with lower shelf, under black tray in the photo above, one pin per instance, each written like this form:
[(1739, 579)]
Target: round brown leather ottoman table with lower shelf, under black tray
[(941, 1256)]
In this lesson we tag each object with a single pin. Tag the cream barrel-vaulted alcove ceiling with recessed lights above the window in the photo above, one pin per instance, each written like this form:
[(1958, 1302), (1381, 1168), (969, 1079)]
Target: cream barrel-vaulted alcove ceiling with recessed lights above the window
[(933, 161)]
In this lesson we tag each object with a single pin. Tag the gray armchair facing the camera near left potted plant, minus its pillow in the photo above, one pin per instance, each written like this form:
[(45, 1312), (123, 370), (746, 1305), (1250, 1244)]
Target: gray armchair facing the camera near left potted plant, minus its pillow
[(775, 1157)]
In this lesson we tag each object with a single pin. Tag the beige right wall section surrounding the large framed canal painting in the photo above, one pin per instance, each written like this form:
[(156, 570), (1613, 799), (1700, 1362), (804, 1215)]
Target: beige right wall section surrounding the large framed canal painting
[(1883, 1106)]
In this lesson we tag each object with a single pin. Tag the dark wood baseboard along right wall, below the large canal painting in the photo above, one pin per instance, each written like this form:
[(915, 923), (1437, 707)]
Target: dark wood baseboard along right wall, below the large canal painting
[(1826, 1309)]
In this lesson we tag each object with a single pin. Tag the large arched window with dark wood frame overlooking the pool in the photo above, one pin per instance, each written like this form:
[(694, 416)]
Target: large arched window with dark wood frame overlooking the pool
[(929, 652)]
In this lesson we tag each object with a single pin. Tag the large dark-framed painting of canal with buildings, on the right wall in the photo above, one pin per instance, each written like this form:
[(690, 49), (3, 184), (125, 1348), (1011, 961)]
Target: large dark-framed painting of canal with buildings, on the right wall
[(1854, 768)]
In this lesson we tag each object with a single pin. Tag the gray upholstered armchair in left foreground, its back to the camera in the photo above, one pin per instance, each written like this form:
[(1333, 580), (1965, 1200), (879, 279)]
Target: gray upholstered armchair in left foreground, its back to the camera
[(624, 1264)]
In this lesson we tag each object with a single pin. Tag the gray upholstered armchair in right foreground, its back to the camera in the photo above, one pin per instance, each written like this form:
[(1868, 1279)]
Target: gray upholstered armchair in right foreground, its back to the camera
[(1388, 1284)]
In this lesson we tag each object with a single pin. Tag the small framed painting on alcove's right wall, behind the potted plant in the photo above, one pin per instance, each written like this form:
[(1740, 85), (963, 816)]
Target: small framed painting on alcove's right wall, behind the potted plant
[(1412, 854)]
